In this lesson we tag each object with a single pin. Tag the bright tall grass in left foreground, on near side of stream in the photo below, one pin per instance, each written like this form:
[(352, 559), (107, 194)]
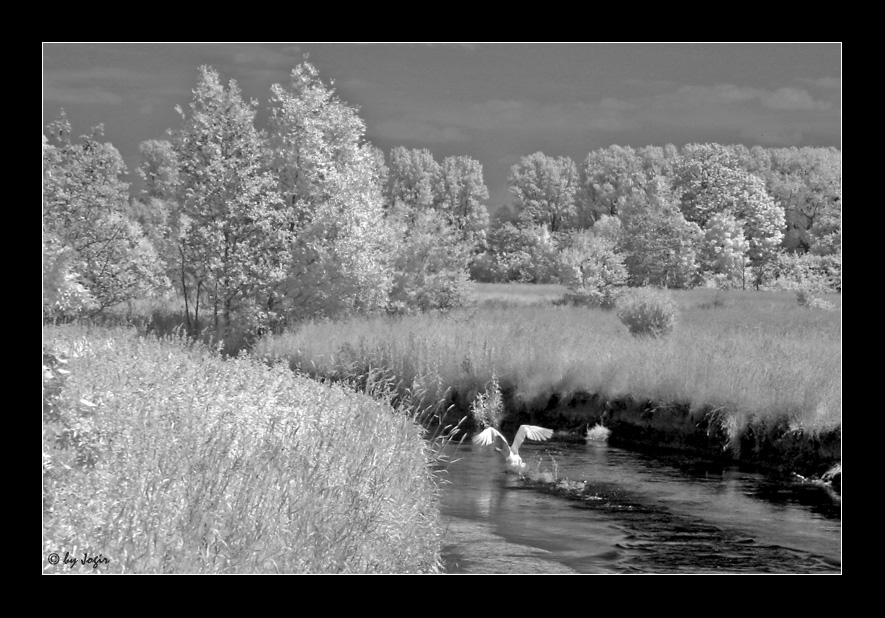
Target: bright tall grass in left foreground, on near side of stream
[(161, 457)]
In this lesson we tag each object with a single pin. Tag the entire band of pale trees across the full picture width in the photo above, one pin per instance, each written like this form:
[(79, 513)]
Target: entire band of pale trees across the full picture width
[(258, 229)]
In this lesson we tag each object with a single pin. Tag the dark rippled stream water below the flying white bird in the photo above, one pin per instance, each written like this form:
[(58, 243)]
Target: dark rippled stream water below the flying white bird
[(637, 514)]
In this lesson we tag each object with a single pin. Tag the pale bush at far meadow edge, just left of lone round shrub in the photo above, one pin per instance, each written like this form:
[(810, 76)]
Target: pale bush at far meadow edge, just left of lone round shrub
[(592, 270)]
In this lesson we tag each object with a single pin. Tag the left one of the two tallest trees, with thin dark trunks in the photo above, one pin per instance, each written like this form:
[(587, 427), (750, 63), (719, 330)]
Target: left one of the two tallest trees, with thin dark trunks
[(236, 246)]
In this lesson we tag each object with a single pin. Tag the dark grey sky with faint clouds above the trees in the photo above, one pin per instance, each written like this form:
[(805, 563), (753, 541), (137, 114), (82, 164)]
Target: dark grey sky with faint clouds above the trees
[(493, 102)]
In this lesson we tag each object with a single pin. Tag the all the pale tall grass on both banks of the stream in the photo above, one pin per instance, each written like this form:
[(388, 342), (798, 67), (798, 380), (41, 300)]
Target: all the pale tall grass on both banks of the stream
[(168, 457)]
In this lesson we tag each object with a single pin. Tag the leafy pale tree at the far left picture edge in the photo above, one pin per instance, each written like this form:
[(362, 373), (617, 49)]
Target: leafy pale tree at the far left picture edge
[(85, 212)]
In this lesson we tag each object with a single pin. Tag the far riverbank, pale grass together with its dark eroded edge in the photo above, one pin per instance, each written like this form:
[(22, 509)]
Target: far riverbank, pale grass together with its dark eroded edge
[(752, 377)]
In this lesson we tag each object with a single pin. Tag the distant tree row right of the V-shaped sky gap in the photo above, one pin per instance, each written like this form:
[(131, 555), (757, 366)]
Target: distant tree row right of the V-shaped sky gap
[(673, 217)]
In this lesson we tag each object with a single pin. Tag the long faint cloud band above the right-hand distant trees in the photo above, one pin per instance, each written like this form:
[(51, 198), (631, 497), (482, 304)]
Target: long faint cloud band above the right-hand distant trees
[(783, 115)]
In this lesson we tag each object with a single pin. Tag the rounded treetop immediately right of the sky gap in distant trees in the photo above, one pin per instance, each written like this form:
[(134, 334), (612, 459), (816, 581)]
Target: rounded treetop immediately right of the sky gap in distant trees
[(544, 189)]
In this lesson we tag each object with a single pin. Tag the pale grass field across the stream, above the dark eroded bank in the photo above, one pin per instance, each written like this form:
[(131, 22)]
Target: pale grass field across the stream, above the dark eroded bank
[(752, 354)]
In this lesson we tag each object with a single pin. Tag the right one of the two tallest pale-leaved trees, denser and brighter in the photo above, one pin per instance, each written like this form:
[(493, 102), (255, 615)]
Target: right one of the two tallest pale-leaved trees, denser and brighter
[(328, 176)]
